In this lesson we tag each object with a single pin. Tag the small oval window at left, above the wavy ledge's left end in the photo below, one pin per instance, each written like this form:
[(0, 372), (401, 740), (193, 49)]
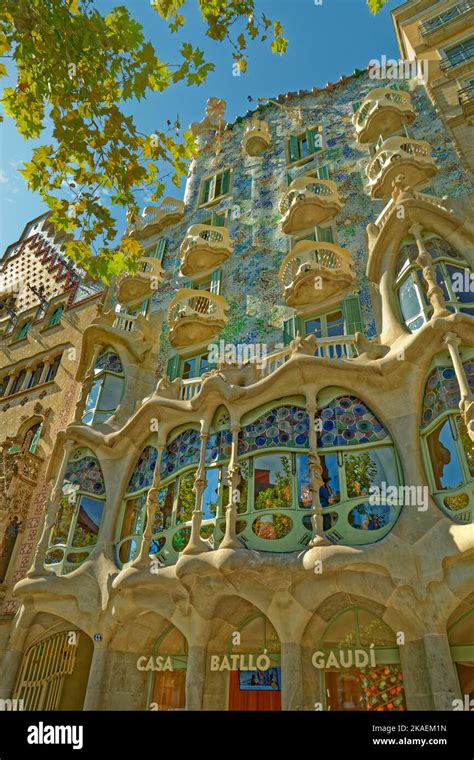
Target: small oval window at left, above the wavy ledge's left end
[(107, 388)]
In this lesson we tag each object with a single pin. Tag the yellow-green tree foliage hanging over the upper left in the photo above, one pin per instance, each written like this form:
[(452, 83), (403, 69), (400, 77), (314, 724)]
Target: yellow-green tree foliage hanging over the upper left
[(76, 70)]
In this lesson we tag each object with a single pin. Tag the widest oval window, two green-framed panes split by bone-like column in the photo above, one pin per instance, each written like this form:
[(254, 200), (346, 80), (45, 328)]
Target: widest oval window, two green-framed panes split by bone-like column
[(359, 498)]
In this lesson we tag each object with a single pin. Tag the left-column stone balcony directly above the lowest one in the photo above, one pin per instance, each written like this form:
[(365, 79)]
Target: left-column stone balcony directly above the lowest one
[(203, 248)]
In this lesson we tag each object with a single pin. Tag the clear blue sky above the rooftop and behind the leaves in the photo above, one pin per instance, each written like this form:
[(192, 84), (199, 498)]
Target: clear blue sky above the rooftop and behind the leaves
[(325, 42)]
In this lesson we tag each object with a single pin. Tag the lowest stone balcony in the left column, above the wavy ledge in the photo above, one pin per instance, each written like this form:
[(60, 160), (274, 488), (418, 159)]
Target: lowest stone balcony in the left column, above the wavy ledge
[(195, 316)]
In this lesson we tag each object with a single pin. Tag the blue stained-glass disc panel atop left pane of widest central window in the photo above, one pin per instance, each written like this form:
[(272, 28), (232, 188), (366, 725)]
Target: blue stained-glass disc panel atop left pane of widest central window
[(286, 426)]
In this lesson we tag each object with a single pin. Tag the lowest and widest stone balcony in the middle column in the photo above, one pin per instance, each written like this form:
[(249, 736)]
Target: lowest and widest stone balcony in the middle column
[(314, 272)]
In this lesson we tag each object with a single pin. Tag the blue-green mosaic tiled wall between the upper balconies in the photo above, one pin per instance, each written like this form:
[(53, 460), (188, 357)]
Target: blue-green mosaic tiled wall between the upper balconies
[(250, 282)]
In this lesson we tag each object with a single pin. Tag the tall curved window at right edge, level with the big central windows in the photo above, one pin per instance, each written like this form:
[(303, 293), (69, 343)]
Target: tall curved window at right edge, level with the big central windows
[(447, 449)]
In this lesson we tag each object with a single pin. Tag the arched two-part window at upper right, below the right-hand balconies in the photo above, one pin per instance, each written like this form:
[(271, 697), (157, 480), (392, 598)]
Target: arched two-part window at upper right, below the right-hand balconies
[(452, 276)]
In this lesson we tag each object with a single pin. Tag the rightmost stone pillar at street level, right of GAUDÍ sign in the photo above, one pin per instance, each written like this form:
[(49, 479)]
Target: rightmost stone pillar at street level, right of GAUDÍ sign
[(441, 671)]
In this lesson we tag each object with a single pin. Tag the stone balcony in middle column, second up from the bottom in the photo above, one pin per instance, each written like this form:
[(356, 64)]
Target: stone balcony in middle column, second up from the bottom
[(308, 202)]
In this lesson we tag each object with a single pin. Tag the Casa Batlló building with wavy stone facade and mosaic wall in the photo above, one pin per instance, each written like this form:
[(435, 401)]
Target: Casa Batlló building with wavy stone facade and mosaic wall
[(262, 496)]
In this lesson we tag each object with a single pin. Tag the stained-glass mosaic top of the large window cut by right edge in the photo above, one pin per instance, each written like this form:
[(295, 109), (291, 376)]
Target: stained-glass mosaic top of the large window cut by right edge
[(442, 391)]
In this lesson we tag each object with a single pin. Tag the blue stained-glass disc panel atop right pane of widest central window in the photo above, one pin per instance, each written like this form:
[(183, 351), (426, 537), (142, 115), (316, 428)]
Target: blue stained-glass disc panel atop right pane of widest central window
[(347, 421)]
